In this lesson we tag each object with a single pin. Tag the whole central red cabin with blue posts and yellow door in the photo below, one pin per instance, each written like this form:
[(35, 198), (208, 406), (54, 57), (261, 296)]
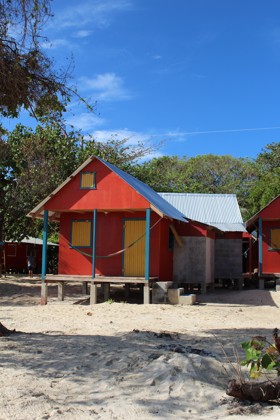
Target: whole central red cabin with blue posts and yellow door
[(111, 224)]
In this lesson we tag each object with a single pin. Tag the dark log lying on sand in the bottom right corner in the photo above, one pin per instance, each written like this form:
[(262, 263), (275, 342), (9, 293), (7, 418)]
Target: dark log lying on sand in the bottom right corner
[(254, 391)]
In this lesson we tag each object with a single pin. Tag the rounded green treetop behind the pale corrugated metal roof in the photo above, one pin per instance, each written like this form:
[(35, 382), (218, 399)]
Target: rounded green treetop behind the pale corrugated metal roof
[(201, 174)]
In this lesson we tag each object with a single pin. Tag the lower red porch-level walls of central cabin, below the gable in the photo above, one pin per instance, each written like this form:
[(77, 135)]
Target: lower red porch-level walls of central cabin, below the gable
[(109, 239)]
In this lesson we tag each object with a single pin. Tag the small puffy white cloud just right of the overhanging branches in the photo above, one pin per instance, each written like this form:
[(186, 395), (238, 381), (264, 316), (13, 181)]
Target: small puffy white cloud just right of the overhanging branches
[(105, 87)]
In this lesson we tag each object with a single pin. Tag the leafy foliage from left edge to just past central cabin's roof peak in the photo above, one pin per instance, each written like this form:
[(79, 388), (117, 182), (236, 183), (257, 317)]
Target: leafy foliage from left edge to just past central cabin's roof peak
[(37, 161)]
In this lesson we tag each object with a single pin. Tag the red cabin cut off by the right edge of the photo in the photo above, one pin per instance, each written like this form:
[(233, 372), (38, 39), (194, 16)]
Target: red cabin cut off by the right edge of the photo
[(266, 225)]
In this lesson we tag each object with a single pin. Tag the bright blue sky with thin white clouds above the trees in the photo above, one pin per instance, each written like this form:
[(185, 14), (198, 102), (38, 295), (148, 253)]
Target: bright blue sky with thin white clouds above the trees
[(200, 75)]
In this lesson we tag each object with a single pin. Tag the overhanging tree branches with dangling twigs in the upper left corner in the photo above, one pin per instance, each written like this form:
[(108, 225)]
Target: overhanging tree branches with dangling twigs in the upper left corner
[(27, 76)]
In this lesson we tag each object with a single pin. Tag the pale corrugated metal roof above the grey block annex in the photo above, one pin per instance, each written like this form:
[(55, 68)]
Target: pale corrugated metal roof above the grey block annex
[(218, 210)]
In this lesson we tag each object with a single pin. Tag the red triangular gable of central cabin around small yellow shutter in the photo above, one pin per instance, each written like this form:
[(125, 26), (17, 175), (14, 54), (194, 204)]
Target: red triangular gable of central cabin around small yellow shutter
[(111, 192)]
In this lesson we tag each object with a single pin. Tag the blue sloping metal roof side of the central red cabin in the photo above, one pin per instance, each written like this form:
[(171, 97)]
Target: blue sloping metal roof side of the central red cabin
[(154, 198)]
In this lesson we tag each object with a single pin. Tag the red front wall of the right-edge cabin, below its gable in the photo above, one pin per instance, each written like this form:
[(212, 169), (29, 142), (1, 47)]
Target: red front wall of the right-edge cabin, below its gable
[(271, 259)]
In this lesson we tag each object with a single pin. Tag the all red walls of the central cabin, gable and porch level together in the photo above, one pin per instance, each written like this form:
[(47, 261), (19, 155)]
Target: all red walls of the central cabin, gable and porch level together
[(112, 193)]
